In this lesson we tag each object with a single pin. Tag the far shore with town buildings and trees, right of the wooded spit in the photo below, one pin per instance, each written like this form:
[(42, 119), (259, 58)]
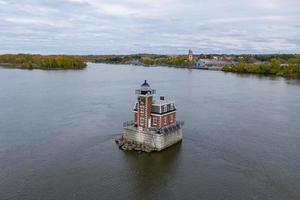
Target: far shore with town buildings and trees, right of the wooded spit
[(284, 65)]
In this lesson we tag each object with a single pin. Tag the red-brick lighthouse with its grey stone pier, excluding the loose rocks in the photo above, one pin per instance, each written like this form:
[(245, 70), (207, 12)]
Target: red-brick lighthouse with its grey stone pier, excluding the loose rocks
[(154, 121)]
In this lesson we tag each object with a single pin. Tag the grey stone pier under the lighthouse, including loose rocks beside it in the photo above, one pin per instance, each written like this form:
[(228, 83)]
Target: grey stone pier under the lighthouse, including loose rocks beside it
[(132, 139)]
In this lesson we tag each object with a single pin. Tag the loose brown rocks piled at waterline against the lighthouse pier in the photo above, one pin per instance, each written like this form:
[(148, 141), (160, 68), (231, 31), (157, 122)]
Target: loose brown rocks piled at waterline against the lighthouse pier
[(126, 145)]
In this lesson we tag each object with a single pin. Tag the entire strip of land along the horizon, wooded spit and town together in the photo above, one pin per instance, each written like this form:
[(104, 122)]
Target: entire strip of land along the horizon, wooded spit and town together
[(284, 65)]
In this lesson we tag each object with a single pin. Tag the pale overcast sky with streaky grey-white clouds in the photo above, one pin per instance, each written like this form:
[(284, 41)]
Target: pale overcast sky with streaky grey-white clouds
[(149, 26)]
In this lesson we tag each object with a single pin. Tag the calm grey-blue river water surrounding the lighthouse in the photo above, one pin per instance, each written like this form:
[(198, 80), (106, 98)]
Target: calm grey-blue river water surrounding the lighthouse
[(57, 131)]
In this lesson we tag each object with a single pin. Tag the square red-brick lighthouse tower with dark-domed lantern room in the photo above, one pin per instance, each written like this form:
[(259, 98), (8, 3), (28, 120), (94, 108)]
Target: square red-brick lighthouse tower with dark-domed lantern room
[(143, 107)]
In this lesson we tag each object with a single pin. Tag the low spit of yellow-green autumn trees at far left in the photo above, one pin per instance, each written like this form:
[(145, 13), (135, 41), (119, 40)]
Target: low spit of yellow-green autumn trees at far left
[(49, 62)]
